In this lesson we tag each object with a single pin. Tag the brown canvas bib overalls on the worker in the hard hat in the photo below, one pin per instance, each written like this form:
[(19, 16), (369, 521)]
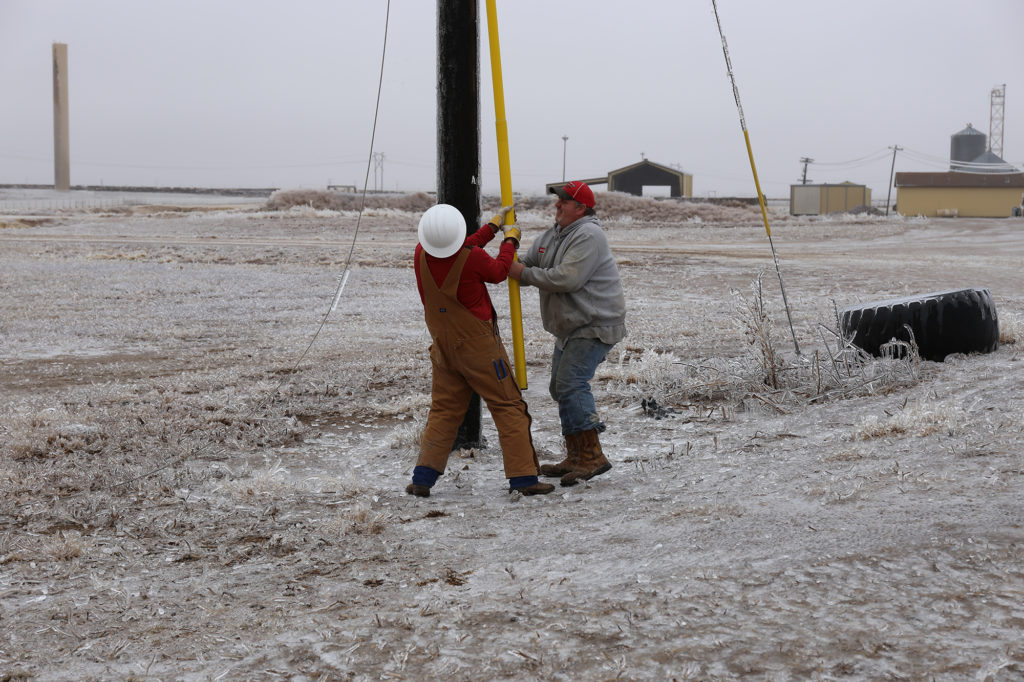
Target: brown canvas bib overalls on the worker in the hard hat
[(467, 356)]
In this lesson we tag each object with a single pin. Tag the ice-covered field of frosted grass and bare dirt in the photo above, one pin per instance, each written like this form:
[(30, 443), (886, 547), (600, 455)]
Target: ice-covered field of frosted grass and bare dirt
[(187, 493)]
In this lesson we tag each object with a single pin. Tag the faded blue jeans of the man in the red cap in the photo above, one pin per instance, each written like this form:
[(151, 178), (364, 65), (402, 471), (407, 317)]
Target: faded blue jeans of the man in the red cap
[(572, 370)]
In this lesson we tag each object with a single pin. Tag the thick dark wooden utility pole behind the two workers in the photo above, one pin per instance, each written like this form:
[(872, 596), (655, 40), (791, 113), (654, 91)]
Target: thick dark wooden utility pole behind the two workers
[(459, 139)]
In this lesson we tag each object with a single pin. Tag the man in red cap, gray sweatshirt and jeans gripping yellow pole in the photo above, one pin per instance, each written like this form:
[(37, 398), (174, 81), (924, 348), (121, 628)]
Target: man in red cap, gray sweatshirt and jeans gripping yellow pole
[(583, 306)]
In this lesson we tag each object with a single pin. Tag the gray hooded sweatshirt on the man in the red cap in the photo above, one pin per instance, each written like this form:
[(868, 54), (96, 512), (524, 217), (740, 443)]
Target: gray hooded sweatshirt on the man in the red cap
[(581, 293)]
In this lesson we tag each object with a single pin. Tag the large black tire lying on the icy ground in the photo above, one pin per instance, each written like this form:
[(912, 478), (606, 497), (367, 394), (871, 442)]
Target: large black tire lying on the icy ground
[(962, 321)]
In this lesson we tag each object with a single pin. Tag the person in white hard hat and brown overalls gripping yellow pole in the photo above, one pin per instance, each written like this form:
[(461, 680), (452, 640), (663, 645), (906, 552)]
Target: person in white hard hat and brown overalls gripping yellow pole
[(467, 355)]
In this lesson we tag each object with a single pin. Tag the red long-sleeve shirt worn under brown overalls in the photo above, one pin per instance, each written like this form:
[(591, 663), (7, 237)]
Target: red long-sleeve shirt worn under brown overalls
[(481, 269)]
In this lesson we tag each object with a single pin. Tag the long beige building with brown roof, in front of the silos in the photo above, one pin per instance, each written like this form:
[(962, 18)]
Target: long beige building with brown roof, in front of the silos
[(965, 195)]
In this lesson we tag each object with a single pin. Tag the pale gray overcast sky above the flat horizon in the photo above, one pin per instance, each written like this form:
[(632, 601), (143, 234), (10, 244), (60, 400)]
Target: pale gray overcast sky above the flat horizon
[(282, 95)]
